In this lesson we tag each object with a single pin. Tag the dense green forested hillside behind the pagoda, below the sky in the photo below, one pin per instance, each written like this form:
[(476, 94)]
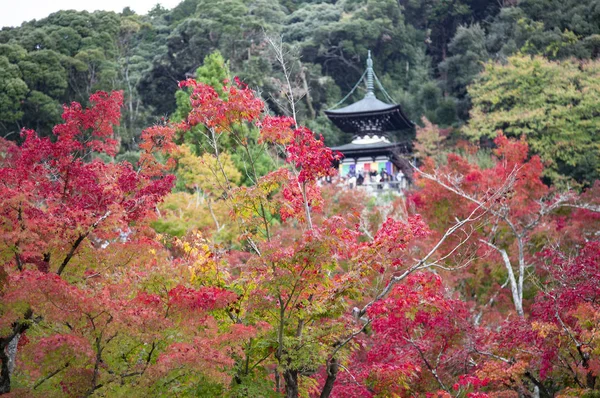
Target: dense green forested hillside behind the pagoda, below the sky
[(426, 54)]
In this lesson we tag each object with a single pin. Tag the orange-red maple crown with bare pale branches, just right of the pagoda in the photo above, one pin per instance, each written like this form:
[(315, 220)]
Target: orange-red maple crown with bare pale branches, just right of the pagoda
[(510, 196)]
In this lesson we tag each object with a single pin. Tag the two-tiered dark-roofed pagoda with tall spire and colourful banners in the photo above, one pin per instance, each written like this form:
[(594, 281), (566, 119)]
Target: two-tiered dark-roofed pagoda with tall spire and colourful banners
[(369, 120)]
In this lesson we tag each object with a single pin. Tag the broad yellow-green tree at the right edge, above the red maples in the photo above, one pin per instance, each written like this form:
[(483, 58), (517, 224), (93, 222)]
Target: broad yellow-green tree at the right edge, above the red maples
[(554, 105)]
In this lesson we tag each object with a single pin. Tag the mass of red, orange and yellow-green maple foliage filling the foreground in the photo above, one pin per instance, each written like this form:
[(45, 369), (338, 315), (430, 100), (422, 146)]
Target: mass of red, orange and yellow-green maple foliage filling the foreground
[(318, 295)]
